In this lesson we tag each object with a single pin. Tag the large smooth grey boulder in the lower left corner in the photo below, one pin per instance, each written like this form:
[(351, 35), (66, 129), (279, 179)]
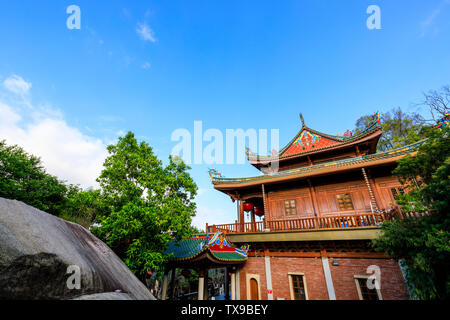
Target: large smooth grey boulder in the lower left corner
[(38, 253)]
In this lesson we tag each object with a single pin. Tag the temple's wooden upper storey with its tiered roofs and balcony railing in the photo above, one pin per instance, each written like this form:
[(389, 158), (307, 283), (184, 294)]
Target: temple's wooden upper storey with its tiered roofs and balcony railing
[(324, 182)]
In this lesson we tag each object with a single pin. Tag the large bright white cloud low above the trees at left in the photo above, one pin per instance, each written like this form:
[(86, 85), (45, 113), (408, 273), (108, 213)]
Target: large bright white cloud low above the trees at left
[(64, 150)]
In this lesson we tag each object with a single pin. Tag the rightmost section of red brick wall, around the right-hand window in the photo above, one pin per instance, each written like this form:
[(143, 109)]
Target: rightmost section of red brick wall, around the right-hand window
[(392, 284)]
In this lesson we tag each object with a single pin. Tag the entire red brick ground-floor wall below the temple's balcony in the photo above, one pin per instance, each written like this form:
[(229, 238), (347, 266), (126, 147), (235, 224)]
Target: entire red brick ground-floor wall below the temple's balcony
[(392, 283)]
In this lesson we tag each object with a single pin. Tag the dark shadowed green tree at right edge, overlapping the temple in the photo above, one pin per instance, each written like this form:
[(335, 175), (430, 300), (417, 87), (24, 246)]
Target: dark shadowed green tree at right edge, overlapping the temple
[(423, 244)]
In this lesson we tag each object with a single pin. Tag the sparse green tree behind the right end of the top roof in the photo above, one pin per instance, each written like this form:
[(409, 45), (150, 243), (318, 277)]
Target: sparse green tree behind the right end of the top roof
[(399, 128)]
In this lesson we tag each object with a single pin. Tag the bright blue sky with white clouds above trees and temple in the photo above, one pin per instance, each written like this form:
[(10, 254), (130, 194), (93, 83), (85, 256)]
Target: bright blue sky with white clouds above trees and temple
[(155, 66)]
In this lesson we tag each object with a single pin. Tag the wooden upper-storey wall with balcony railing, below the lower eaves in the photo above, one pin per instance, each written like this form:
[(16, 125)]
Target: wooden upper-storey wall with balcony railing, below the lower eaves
[(345, 201)]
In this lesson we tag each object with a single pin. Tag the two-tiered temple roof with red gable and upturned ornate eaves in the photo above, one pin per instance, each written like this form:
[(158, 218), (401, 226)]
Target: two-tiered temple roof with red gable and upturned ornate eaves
[(313, 153)]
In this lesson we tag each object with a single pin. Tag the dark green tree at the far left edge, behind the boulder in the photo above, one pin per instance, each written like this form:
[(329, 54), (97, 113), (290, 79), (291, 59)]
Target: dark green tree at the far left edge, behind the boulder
[(24, 178)]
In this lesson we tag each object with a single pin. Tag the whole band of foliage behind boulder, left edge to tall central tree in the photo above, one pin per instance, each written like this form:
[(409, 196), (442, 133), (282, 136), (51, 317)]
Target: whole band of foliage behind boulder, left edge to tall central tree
[(24, 178)]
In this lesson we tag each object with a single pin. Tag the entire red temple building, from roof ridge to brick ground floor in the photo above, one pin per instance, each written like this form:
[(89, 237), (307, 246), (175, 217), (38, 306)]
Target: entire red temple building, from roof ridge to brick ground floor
[(306, 223)]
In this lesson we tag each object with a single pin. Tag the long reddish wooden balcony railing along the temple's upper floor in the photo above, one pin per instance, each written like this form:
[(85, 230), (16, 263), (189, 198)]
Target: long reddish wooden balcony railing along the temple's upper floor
[(364, 220)]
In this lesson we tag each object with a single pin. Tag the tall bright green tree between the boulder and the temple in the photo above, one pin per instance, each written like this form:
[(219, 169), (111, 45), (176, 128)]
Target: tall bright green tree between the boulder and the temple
[(148, 204)]
